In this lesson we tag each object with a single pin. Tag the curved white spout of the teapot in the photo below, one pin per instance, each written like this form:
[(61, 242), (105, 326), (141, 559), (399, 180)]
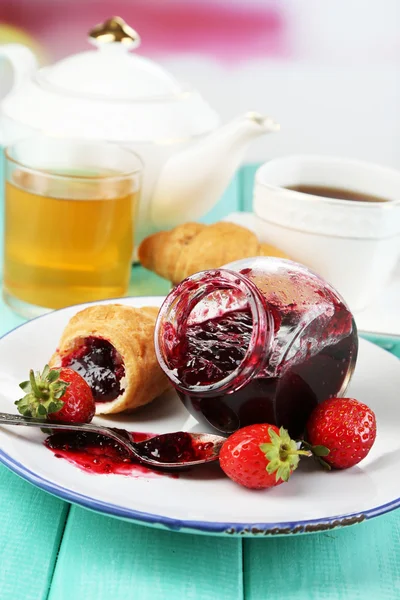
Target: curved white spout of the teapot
[(193, 180)]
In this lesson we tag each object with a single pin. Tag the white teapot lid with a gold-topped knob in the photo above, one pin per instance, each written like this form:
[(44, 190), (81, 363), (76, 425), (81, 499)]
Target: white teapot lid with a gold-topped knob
[(111, 71)]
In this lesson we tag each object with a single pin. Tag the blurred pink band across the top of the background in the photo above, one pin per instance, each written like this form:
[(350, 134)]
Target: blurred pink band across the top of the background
[(224, 30)]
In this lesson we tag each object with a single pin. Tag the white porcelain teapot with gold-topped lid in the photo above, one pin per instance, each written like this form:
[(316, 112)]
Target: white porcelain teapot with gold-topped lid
[(109, 94)]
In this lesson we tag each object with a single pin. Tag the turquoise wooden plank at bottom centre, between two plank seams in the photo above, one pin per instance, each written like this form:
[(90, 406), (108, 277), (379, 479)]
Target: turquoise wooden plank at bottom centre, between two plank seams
[(102, 558)]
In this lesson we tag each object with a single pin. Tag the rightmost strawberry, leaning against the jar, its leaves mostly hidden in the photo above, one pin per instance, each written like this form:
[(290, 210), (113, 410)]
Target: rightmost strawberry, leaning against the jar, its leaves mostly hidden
[(342, 430)]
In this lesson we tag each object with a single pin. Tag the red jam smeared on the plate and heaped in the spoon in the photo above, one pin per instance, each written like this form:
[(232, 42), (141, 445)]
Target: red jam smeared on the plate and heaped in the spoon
[(95, 453)]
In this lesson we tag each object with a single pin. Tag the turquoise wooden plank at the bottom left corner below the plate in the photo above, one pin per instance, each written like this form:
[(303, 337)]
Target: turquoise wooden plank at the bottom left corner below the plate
[(31, 527)]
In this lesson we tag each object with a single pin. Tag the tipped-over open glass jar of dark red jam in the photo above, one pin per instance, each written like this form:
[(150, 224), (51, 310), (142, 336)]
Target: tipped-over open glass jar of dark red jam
[(261, 340)]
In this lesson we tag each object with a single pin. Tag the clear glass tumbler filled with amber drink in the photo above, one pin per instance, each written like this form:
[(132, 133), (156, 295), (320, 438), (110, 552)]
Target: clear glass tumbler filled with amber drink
[(69, 218)]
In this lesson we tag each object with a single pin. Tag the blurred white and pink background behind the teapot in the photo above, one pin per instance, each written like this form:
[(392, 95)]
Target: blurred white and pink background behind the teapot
[(327, 70)]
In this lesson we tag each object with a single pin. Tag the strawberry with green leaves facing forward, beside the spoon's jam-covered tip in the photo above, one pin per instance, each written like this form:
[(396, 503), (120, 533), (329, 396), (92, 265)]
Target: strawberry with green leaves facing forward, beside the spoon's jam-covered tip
[(259, 456)]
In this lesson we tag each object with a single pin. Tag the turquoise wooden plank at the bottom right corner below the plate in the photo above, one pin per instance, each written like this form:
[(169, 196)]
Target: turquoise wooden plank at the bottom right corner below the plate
[(355, 563)]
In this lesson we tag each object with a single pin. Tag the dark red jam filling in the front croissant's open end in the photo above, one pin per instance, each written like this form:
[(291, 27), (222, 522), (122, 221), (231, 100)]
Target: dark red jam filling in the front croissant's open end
[(98, 362)]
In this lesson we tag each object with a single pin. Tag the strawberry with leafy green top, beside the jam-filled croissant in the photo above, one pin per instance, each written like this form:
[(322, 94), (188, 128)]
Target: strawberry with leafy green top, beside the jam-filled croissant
[(58, 394)]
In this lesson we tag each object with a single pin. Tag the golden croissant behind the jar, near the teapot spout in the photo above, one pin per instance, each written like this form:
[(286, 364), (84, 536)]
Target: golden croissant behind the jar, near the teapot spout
[(194, 247)]
